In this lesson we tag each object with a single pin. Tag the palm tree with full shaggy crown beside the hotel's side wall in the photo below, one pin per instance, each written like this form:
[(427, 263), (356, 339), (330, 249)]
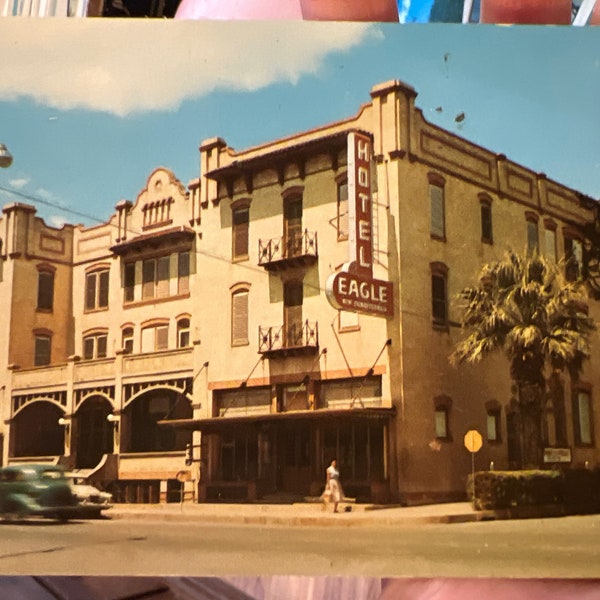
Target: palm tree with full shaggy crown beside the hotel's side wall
[(526, 308)]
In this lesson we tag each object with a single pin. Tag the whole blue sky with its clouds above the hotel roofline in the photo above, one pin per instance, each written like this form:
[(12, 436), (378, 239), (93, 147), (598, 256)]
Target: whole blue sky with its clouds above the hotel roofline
[(88, 111)]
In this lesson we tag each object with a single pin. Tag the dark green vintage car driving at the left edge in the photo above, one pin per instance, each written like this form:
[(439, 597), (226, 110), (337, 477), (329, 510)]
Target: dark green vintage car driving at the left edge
[(36, 490)]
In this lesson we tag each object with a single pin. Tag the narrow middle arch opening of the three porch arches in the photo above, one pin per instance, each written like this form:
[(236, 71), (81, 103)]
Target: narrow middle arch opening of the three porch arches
[(93, 434)]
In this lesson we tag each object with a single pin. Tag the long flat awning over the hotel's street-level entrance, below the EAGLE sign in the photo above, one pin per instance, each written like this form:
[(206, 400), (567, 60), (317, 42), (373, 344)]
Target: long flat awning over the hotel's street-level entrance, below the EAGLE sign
[(218, 423)]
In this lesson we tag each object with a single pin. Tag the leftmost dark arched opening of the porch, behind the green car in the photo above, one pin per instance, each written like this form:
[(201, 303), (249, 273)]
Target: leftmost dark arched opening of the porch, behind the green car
[(35, 430)]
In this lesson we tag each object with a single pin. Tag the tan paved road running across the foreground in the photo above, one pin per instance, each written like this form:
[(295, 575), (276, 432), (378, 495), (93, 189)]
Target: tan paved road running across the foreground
[(563, 547)]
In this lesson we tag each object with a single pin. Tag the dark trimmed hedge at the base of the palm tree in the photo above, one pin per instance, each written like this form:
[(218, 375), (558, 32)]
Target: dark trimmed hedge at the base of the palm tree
[(577, 490)]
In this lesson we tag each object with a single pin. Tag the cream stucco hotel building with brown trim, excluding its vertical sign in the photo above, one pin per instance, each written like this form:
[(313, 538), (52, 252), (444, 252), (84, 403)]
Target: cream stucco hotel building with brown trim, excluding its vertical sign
[(198, 315)]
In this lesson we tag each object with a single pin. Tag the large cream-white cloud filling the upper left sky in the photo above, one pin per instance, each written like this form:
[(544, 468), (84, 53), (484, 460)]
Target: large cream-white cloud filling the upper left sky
[(142, 65)]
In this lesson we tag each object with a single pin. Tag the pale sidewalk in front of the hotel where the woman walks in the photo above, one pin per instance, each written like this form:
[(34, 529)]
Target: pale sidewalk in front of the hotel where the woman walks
[(303, 514)]
